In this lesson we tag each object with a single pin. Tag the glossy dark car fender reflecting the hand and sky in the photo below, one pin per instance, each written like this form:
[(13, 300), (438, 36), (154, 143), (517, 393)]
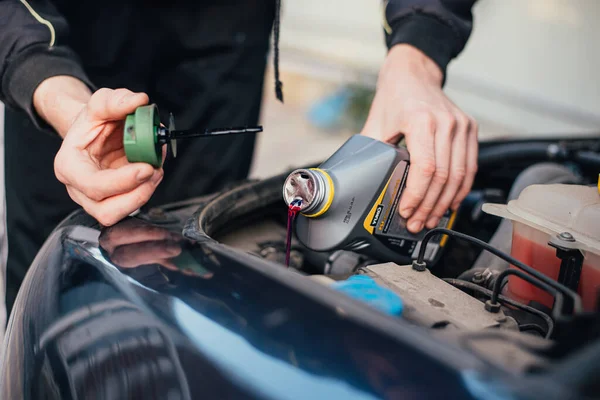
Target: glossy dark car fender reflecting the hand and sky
[(138, 311)]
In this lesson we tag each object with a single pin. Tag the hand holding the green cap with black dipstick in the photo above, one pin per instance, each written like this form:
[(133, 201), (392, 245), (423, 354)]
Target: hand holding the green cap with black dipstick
[(92, 163)]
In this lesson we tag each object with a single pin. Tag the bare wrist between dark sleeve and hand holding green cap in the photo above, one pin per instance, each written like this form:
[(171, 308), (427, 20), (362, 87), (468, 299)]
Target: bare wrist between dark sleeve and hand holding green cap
[(59, 99)]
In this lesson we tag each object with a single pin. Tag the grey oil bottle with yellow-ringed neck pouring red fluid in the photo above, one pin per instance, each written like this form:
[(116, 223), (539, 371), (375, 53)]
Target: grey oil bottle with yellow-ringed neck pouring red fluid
[(351, 202)]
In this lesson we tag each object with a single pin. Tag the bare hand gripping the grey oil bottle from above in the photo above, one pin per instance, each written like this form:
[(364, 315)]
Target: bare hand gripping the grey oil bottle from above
[(441, 139)]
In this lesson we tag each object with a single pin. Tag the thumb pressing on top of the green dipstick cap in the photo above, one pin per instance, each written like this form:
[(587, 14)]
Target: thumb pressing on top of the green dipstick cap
[(114, 105)]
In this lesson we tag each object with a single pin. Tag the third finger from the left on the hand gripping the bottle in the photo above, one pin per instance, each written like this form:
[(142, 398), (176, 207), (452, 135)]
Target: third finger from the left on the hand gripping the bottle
[(458, 166)]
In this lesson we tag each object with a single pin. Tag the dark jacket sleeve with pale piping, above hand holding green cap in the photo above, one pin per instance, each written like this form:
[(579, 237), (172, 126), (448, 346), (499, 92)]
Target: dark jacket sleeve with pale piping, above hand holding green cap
[(33, 47)]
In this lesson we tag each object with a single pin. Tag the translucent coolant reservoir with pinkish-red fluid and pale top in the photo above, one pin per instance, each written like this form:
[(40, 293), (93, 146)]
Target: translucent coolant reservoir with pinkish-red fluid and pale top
[(567, 215)]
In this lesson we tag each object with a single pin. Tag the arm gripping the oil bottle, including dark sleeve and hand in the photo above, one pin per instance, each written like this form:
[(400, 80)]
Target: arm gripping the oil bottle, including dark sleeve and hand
[(410, 104)]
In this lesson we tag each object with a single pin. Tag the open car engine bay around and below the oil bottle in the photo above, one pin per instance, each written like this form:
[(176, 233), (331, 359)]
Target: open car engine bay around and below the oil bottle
[(462, 296)]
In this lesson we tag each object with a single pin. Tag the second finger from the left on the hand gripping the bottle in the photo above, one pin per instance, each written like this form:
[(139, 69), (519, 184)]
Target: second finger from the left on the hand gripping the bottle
[(446, 125)]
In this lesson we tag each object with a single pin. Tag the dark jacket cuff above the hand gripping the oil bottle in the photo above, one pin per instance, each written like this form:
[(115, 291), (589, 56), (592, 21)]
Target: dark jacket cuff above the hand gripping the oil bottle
[(439, 28)]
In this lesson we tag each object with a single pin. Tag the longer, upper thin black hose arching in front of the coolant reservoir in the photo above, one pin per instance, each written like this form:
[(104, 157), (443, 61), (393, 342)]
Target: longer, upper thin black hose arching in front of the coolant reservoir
[(577, 307)]
